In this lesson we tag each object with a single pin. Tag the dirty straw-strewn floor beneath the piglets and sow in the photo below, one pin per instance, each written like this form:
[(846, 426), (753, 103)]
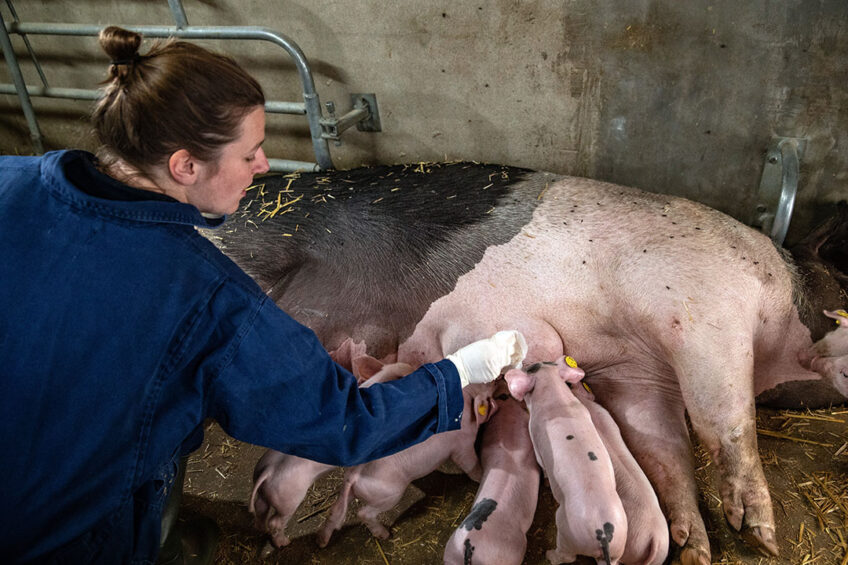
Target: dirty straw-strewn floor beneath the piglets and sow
[(804, 454)]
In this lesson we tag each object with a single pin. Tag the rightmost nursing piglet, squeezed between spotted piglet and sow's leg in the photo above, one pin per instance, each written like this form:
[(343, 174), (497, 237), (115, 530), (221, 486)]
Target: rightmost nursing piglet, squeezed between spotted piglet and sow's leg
[(647, 528)]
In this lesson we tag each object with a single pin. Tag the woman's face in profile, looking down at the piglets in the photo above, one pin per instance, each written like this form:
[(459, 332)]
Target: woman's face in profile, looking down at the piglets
[(222, 184)]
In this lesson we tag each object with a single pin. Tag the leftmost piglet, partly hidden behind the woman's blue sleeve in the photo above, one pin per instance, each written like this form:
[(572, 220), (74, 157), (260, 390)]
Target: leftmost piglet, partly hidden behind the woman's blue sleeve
[(281, 481)]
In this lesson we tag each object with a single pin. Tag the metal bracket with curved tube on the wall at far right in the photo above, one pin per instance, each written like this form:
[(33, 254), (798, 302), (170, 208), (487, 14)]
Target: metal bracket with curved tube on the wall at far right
[(778, 187)]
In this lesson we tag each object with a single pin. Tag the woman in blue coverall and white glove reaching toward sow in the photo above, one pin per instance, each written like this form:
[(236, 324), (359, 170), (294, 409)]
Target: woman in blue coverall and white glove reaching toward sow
[(123, 329)]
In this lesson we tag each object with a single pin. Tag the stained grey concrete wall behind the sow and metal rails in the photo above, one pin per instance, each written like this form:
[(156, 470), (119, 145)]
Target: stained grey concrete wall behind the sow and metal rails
[(669, 96)]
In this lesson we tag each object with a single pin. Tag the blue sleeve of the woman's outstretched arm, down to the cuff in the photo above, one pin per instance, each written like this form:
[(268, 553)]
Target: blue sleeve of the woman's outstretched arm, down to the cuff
[(280, 389)]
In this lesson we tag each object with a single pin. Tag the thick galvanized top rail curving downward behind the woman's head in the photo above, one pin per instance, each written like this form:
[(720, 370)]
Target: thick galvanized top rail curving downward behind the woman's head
[(310, 96)]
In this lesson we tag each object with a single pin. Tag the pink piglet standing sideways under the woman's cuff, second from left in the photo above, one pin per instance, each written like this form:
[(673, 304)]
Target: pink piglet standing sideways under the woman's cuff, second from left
[(380, 484)]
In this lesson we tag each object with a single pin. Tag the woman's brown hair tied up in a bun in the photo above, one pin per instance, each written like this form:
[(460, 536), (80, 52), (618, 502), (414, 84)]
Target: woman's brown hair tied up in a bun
[(177, 96)]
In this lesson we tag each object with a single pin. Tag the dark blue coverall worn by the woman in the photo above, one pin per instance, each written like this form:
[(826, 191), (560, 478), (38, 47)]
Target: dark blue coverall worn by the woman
[(121, 330)]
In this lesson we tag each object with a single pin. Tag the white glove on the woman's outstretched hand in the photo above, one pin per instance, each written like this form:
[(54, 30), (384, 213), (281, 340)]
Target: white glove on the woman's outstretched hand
[(483, 361)]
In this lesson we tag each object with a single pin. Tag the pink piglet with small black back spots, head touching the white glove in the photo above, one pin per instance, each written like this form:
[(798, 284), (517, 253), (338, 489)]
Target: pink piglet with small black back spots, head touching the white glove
[(590, 518)]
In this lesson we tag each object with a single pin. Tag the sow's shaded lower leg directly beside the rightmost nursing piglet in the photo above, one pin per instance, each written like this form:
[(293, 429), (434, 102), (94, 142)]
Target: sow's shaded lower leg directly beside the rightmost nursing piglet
[(649, 411)]
